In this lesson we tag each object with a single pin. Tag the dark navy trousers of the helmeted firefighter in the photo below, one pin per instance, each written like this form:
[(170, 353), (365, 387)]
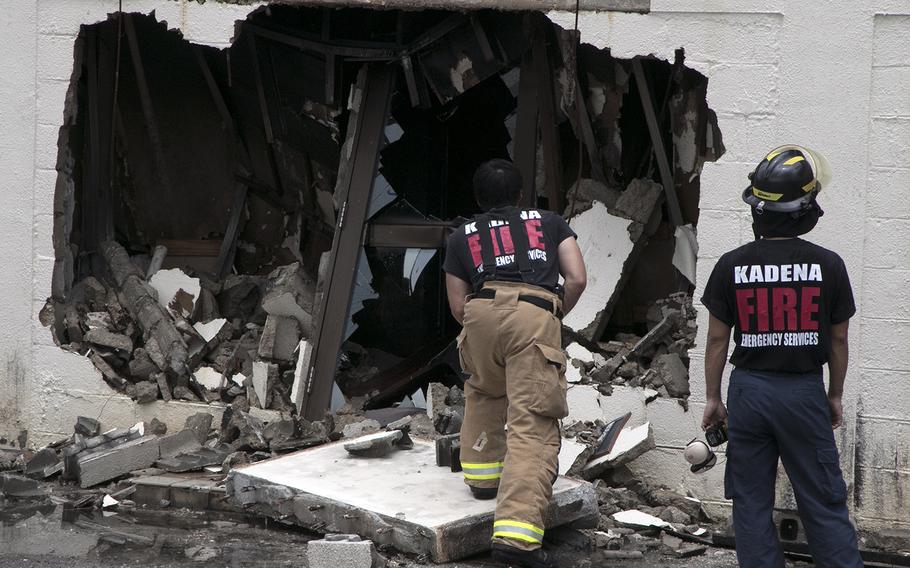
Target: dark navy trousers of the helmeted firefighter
[(785, 416)]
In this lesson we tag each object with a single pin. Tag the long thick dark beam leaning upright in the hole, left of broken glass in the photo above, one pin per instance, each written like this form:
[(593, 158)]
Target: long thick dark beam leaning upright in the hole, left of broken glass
[(376, 84)]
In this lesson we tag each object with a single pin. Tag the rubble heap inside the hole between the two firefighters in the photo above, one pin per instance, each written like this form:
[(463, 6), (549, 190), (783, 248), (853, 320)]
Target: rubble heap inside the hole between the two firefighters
[(657, 361)]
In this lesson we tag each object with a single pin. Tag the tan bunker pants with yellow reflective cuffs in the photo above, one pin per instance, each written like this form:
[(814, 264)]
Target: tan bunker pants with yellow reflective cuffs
[(512, 350)]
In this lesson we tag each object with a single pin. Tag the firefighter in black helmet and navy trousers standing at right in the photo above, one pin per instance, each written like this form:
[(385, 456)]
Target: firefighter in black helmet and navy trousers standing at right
[(789, 303)]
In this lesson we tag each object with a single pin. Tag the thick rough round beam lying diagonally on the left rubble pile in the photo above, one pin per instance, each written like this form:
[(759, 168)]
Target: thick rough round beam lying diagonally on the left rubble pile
[(141, 302)]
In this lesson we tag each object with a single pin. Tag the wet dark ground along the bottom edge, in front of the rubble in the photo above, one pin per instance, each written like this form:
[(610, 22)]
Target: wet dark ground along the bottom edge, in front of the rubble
[(40, 534)]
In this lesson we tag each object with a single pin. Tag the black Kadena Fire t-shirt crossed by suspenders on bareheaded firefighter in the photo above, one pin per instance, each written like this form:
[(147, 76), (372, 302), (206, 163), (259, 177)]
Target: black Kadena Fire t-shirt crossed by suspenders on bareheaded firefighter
[(545, 230)]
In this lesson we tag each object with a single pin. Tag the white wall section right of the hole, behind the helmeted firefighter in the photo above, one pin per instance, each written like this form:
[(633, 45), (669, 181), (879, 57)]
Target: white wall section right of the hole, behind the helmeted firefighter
[(777, 75)]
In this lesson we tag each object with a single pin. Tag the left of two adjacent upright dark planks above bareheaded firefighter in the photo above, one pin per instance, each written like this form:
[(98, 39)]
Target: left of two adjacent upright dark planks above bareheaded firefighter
[(525, 148)]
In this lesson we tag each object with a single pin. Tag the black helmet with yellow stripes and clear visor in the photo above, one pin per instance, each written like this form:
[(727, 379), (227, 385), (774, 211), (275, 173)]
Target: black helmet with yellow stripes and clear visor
[(787, 180)]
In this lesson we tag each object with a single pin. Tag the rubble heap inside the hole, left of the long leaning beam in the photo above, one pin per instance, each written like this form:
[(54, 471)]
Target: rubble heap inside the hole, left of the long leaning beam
[(173, 335)]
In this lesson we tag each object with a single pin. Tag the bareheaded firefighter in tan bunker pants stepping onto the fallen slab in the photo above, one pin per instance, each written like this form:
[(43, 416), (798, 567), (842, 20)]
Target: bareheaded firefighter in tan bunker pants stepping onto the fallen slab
[(502, 272)]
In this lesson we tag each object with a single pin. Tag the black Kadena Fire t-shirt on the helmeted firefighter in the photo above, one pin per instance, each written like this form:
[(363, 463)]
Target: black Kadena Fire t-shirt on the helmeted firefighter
[(781, 297)]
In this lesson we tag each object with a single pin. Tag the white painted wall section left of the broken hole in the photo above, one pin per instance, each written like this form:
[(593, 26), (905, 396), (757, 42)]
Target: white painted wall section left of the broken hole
[(44, 388)]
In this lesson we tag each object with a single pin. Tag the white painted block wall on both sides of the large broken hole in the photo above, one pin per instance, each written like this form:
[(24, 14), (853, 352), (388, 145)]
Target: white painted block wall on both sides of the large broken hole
[(832, 75)]
